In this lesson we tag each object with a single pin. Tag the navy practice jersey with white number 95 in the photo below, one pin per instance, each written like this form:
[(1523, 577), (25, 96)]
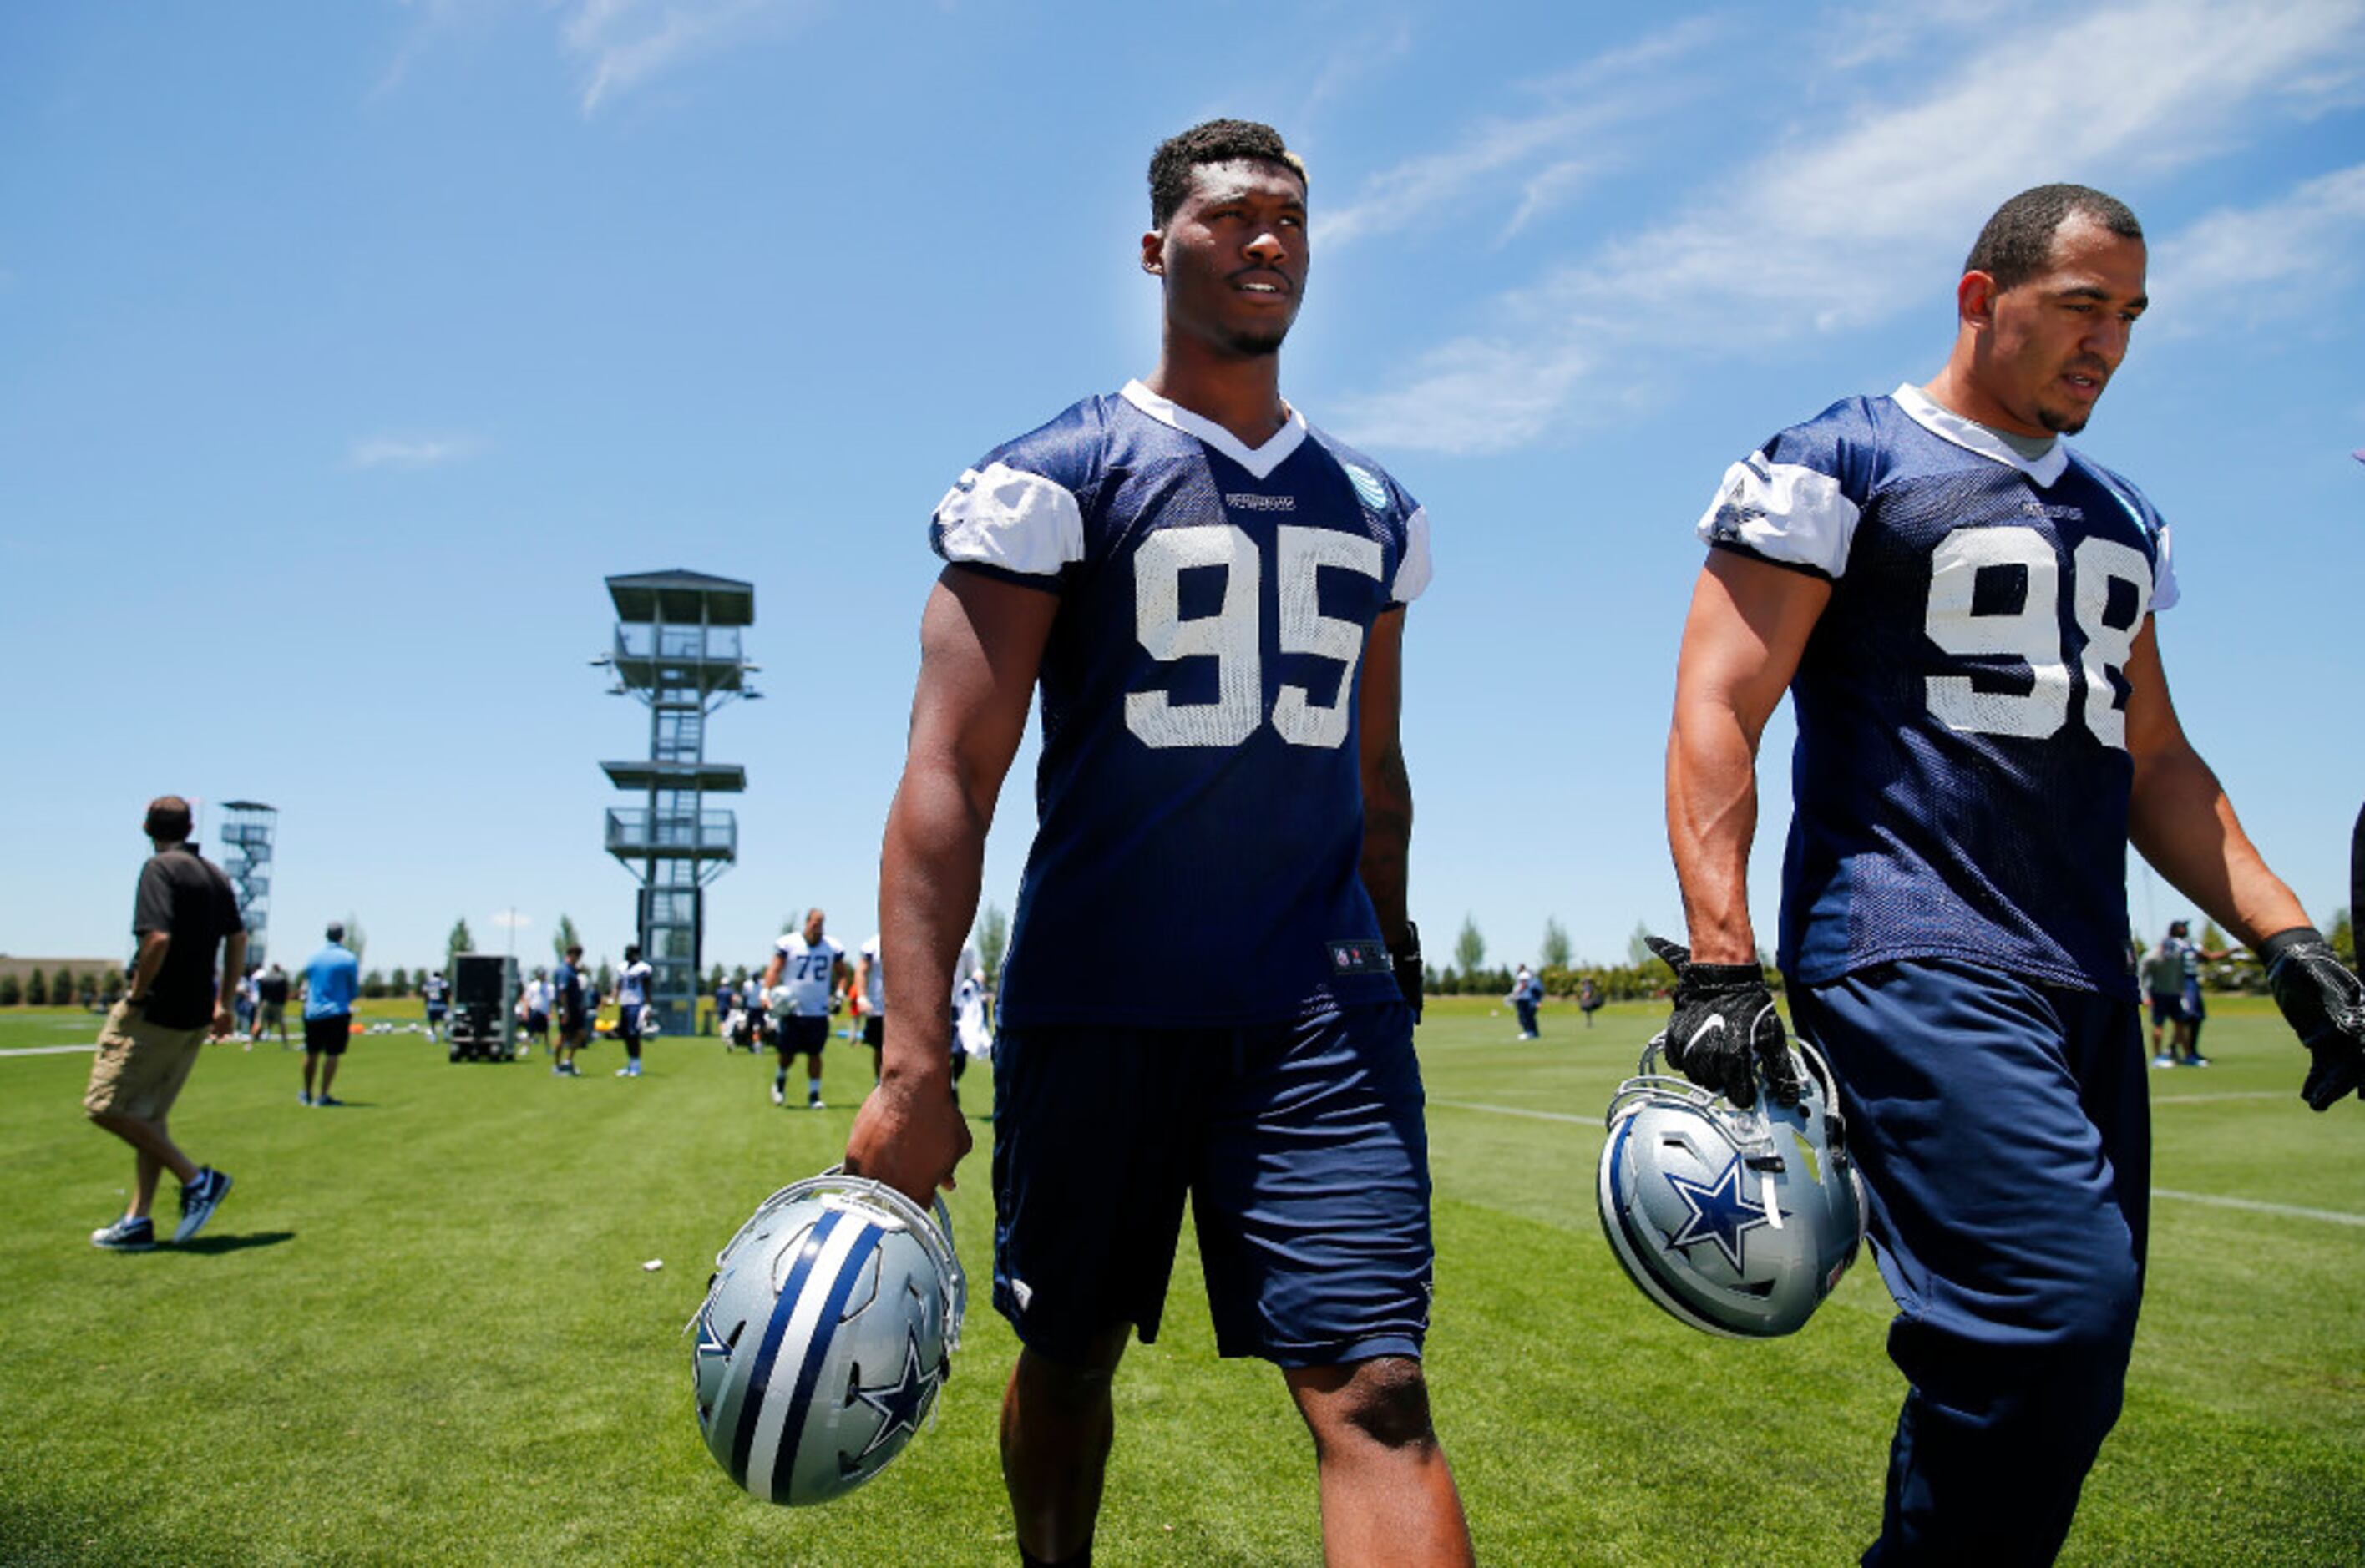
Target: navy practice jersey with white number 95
[(1200, 796)]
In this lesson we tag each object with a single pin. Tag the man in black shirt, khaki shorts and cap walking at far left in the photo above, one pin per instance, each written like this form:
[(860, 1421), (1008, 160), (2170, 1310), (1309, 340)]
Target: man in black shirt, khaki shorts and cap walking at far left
[(183, 916)]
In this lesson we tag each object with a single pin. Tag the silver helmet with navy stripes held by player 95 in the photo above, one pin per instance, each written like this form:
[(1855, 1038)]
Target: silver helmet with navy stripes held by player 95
[(824, 1337)]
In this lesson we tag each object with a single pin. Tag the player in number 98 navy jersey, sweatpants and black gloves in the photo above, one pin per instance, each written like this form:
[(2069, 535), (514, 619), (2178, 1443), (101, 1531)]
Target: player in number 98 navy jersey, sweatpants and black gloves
[(1962, 611)]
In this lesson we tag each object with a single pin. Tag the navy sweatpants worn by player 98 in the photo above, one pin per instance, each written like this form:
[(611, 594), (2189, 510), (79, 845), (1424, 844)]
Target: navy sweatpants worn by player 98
[(2004, 1139)]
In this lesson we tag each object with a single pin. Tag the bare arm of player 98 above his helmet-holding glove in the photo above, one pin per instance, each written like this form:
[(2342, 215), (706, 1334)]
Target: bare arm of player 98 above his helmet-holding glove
[(1742, 644)]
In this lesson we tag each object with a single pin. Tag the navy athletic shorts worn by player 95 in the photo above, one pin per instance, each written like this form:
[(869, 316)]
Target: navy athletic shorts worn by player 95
[(1300, 1146)]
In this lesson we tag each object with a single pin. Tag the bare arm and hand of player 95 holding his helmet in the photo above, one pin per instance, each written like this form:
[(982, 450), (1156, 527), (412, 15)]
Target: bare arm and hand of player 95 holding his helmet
[(980, 652)]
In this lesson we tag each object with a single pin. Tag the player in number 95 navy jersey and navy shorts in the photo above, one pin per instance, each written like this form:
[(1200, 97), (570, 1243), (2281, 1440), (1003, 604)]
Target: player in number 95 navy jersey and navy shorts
[(1212, 978)]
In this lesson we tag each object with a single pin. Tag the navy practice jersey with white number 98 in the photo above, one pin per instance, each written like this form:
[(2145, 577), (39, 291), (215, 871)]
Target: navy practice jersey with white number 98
[(1962, 770)]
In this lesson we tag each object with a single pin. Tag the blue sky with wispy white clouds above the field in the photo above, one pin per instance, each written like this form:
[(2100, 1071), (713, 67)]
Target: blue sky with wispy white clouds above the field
[(346, 349)]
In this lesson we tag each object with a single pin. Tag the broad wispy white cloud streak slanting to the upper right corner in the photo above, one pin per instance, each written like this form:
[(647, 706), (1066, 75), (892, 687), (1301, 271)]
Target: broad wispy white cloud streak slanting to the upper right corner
[(1851, 226)]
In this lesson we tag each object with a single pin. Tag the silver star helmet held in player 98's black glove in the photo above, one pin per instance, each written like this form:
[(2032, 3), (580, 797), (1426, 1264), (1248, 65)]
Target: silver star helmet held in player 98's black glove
[(1735, 1222)]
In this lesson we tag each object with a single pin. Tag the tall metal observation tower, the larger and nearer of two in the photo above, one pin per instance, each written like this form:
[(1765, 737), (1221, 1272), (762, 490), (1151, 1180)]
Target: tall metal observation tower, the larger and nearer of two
[(678, 649)]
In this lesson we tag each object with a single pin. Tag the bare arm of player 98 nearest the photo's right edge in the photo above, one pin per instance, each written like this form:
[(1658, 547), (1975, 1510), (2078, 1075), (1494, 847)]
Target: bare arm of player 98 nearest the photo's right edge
[(2182, 819)]
